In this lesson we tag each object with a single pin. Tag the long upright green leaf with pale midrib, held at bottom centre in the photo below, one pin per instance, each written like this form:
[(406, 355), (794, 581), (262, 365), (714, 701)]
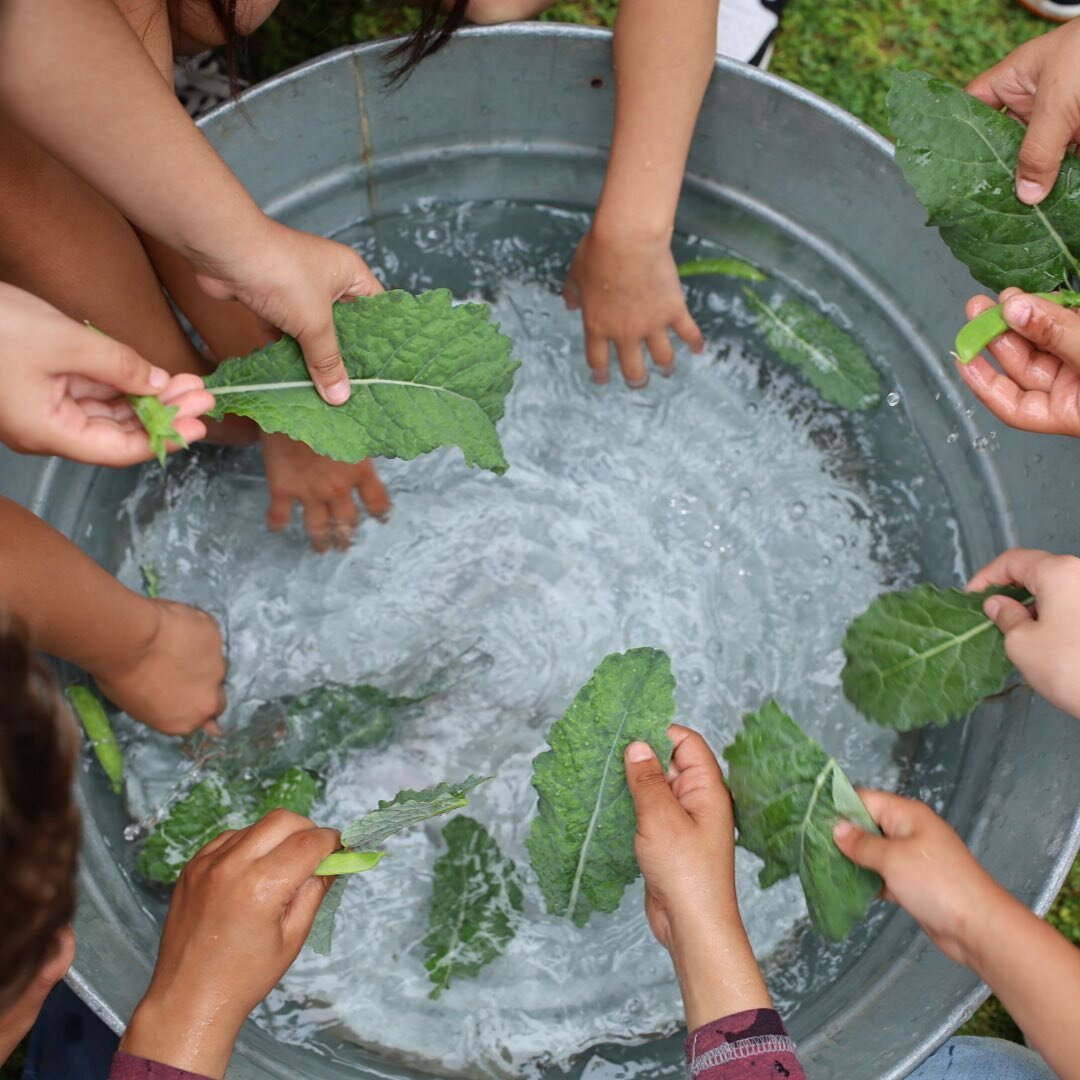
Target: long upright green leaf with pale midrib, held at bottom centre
[(582, 843)]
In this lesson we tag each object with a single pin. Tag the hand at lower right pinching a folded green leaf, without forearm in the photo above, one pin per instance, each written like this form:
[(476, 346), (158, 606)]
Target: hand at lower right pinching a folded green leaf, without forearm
[(927, 870)]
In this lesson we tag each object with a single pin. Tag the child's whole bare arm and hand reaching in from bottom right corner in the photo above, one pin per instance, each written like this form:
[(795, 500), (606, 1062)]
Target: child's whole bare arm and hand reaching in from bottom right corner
[(931, 874)]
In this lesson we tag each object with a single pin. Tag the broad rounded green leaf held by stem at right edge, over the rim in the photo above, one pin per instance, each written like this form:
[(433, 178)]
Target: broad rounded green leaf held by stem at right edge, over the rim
[(925, 656)]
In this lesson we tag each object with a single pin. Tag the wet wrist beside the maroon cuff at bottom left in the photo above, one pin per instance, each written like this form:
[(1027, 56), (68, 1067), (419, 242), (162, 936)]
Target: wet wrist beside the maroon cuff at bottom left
[(194, 1041)]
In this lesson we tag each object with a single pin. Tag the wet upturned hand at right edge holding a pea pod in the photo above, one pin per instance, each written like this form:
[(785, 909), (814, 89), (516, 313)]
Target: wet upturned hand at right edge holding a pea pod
[(1038, 388)]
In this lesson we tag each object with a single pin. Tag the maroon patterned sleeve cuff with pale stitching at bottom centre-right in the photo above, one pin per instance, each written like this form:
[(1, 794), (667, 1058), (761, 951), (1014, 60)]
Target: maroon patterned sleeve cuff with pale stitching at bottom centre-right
[(747, 1046)]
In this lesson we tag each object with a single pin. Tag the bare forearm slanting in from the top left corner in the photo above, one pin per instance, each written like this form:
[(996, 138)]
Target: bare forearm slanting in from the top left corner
[(75, 76)]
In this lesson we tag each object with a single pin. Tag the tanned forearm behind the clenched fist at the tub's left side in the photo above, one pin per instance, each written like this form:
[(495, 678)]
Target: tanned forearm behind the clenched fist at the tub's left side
[(74, 609)]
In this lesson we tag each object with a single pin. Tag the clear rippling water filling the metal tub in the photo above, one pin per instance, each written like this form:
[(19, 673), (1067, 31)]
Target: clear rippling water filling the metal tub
[(725, 516)]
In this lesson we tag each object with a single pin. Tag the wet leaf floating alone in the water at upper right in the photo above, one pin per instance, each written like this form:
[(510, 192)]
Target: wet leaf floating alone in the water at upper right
[(834, 363)]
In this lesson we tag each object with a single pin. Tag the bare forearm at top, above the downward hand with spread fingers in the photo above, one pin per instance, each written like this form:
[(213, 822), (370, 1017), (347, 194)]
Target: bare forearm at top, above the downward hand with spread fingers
[(664, 58)]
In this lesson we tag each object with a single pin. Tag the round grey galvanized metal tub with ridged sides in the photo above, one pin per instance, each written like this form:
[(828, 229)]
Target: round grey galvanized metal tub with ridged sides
[(524, 113)]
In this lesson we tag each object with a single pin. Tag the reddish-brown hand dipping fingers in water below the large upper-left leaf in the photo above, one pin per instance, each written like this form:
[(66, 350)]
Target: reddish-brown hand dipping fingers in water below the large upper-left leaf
[(325, 489)]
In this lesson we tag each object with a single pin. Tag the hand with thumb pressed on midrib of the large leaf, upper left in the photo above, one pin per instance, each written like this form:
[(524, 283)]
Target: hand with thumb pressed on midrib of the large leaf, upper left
[(290, 280)]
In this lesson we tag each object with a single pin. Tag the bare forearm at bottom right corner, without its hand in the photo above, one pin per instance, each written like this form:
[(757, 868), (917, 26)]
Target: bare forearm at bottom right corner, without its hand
[(1036, 975)]
